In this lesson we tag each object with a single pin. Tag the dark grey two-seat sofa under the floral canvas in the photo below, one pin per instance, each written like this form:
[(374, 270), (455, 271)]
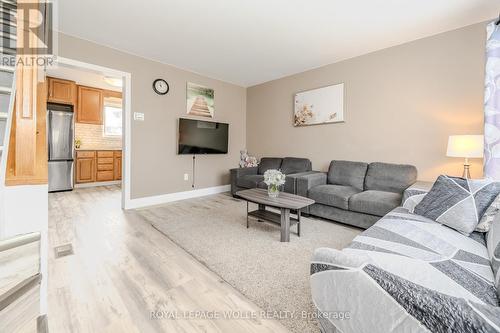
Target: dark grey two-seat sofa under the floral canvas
[(356, 193)]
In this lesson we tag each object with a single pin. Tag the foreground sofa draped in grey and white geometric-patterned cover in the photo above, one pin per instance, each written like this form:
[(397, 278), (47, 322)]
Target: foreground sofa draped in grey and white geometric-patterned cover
[(408, 273)]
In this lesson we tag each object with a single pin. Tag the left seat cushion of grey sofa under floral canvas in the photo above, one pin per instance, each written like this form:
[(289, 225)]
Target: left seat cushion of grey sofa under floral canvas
[(333, 195)]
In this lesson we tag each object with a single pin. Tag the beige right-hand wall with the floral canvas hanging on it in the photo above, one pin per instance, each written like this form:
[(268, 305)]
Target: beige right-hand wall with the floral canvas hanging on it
[(401, 104)]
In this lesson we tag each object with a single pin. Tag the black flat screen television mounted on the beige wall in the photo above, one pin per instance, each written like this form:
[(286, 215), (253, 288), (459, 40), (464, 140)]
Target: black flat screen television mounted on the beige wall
[(202, 137)]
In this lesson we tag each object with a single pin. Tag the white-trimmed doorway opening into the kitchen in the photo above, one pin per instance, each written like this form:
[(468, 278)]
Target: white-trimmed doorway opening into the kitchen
[(101, 139)]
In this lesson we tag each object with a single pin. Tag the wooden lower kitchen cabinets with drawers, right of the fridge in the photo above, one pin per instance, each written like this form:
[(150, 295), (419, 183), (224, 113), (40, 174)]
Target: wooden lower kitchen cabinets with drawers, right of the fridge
[(104, 166)]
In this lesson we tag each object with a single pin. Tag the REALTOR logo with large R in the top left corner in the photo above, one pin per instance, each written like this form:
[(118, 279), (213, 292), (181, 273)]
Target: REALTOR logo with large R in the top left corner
[(27, 30)]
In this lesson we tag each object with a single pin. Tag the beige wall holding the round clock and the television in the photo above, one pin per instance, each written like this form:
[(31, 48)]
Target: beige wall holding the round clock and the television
[(156, 167)]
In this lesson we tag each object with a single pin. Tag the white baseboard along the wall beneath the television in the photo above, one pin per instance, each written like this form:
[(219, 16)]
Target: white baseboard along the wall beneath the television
[(164, 198)]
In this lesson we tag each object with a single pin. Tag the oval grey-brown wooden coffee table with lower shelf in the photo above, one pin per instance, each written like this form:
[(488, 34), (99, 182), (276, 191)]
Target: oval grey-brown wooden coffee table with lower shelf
[(285, 202)]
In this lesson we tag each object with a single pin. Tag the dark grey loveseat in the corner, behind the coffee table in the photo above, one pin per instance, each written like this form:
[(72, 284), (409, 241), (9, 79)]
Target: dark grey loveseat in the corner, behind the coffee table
[(292, 167)]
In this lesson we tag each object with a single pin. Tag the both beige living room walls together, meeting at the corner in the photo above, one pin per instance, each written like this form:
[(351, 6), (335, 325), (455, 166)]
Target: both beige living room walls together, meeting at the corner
[(401, 104)]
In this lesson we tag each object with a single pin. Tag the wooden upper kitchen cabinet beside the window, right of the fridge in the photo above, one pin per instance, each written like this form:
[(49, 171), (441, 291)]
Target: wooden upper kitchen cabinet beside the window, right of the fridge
[(90, 105)]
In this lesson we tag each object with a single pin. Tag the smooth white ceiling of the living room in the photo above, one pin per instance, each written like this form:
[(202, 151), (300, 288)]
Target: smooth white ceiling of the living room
[(253, 41)]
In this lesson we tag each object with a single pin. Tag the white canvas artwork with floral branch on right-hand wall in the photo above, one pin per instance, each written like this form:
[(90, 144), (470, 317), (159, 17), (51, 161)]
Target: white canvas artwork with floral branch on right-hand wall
[(319, 106)]
